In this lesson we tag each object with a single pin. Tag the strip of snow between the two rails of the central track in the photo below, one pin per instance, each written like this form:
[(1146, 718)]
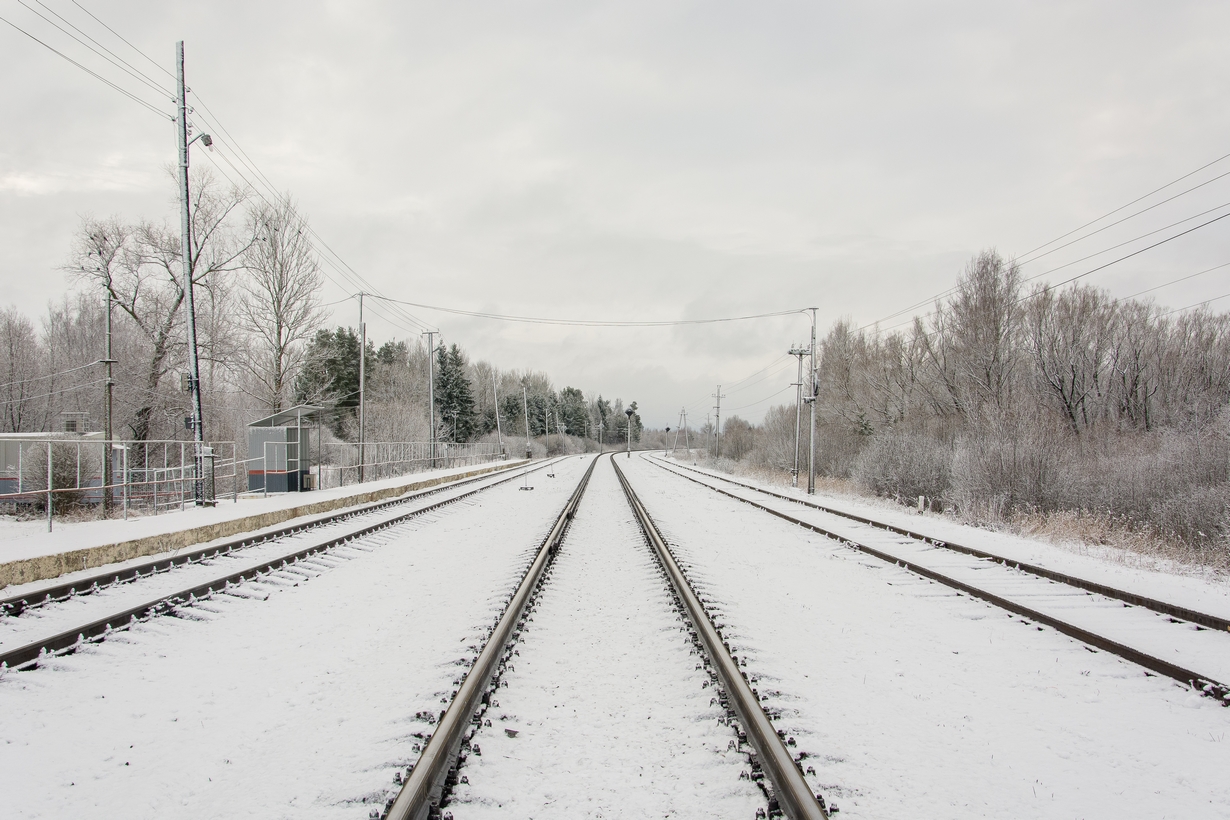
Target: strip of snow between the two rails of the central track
[(612, 717)]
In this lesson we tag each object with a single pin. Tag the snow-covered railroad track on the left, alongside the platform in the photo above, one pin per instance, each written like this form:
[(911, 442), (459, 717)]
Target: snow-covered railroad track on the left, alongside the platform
[(94, 608)]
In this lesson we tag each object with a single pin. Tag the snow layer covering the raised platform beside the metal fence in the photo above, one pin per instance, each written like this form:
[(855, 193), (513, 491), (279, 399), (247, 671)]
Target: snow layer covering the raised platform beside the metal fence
[(30, 539)]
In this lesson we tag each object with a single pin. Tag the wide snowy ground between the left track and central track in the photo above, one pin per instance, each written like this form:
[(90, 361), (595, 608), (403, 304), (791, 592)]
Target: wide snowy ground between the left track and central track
[(293, 698)]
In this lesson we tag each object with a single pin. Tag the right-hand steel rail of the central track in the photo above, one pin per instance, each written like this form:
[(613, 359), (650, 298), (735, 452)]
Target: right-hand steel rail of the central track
[(790, 790)]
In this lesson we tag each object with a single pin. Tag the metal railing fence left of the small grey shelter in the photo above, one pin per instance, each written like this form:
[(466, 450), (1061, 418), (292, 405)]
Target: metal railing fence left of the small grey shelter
[(52, 475)]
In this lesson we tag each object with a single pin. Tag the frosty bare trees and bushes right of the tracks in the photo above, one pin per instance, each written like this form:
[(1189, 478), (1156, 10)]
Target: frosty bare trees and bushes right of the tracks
[(1009, 401)]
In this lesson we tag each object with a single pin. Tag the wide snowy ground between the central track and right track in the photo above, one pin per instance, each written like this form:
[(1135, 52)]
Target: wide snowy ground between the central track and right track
[(913, 701)]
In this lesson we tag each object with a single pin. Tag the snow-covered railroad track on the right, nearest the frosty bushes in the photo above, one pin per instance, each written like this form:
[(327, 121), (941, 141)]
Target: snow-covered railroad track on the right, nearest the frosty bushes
[(1109, 619)]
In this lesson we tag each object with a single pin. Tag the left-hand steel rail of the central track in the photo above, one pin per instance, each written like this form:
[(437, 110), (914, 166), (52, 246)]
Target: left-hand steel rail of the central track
[(421, 794)]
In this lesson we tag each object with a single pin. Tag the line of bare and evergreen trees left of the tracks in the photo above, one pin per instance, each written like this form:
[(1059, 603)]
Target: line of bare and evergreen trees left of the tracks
[(263, 342)]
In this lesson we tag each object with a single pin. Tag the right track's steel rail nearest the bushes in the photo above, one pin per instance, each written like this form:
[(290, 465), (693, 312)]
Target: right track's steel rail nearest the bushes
[(1164, 608)]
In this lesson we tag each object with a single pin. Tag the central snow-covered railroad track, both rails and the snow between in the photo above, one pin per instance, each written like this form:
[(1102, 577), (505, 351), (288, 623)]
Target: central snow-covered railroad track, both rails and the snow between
[(608, 714)]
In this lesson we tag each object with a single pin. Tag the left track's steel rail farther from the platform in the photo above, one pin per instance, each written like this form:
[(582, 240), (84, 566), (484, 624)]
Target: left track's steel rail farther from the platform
[(72, 639)]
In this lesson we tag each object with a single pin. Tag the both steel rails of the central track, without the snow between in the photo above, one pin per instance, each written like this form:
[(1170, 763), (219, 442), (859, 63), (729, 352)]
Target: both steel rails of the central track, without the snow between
[(427, 786)]
